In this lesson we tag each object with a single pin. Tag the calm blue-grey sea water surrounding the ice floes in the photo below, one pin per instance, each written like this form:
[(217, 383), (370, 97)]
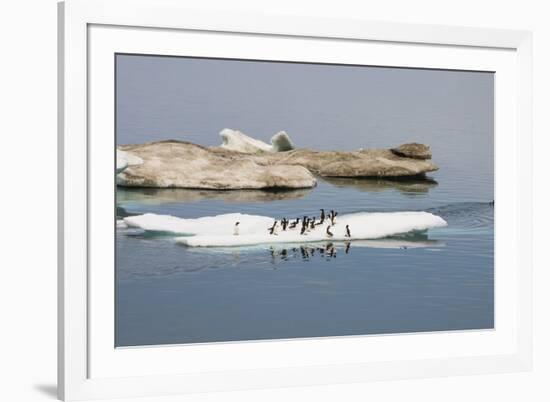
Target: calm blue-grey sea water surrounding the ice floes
[(167, 293)]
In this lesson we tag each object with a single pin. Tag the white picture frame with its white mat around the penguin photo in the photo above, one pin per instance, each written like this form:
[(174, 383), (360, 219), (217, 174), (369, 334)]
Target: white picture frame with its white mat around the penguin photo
[(91, 31)]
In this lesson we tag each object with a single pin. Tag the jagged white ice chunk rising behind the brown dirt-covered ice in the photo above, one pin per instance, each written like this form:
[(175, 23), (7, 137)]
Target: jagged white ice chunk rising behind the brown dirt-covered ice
[(237, 141)]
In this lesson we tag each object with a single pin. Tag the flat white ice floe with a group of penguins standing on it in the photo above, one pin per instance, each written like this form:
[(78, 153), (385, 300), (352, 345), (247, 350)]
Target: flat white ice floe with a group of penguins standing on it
[(217, 231)]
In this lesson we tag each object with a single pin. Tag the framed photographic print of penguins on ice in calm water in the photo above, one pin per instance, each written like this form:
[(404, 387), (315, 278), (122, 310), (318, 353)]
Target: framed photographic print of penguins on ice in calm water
[(265, 200)]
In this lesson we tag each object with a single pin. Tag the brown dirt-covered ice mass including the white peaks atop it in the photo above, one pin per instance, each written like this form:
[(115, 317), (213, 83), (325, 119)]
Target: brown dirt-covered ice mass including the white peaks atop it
[(244, 163)]
